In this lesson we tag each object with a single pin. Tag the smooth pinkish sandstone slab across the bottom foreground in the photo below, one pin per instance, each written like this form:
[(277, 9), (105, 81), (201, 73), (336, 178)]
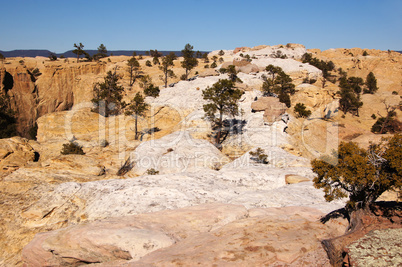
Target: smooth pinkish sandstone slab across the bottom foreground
[(234, 236)]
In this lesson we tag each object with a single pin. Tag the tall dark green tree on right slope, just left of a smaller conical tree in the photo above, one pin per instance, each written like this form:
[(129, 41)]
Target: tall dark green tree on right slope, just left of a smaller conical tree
[(350, 94)]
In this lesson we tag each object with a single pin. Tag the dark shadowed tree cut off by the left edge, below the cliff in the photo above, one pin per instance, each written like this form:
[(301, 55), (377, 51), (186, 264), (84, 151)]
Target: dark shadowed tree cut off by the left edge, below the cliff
[(7, 119)]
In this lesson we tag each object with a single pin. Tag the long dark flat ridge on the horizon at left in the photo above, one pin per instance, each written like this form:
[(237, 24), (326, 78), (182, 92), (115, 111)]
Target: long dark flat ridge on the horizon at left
[(46, 53)]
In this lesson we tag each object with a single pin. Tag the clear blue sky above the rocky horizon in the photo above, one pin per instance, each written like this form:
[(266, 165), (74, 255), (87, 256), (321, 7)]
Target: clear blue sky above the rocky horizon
[(207, 25)]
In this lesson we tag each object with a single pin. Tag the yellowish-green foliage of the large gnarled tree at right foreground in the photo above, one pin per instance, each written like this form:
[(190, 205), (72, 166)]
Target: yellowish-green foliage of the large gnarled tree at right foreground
[(362, 175)]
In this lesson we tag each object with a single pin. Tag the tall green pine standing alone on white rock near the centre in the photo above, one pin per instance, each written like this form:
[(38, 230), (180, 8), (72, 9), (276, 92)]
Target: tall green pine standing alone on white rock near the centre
[(223, 99)]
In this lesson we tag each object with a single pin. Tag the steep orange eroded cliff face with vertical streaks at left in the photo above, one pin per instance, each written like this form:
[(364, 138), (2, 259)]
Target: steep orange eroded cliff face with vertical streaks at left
[(57, 88)]
